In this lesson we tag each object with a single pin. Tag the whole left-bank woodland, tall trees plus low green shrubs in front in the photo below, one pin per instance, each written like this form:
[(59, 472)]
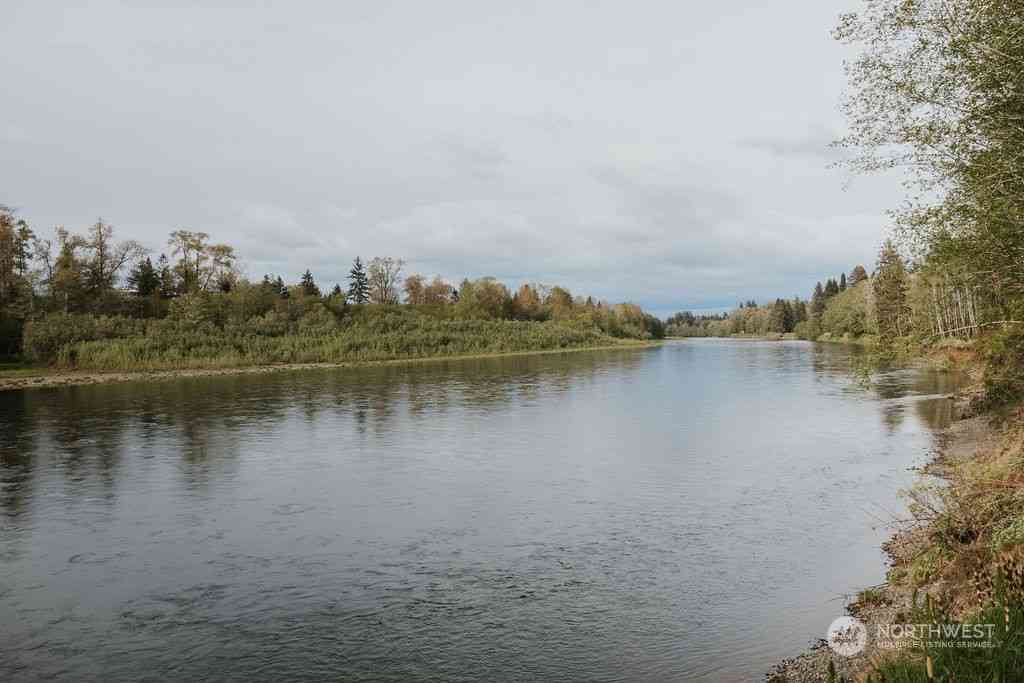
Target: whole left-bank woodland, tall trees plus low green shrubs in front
[(92, 301)]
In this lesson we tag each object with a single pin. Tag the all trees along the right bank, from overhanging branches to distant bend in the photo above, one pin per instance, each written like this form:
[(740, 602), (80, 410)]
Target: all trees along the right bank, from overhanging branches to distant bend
[(934, 93)]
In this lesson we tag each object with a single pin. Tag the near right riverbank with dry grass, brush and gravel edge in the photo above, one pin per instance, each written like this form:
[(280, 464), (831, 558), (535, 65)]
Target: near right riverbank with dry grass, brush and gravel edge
[(962, 539)]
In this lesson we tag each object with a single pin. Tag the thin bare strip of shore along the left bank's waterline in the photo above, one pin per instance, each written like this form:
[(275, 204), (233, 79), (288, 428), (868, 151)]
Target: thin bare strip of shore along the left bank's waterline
[(30, 378)]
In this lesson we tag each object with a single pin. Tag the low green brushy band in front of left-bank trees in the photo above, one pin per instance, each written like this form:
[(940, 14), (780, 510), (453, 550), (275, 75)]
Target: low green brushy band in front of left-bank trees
[(318, 337)]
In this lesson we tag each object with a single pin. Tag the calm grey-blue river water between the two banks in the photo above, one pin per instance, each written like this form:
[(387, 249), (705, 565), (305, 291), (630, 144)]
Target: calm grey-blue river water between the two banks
[(693, 513)]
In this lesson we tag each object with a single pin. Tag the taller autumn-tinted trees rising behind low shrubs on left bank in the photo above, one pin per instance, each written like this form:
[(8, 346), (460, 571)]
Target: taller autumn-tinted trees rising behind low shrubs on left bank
[(96, 281)]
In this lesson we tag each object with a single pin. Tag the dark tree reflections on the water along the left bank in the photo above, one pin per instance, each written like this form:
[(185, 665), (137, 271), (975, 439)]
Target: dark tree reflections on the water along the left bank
[(84, 432)]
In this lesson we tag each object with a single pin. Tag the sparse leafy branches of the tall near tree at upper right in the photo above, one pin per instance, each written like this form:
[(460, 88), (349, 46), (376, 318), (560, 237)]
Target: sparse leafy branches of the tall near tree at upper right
[(935, 92)]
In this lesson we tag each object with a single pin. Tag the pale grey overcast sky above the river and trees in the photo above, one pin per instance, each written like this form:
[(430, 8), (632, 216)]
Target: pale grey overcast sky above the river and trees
[(670, 153)]
